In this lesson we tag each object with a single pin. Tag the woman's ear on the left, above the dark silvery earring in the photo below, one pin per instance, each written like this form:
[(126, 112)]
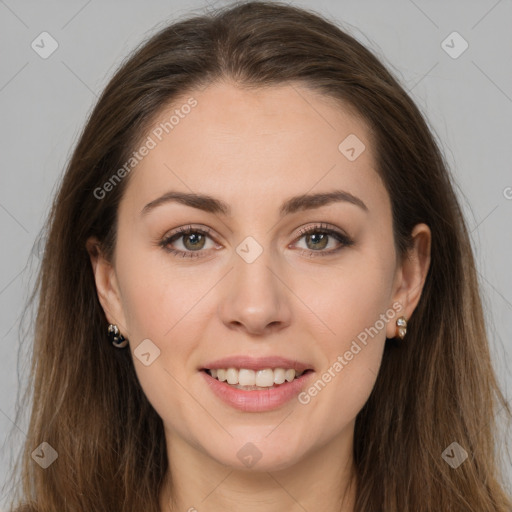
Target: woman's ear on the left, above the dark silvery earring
[(106, 285)]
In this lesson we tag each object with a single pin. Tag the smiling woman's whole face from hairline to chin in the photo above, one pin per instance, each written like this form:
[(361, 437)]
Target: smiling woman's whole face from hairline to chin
[(317, 283)]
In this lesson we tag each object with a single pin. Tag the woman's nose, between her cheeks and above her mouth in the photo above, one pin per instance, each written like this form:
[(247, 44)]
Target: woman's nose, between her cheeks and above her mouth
[(255, 298)]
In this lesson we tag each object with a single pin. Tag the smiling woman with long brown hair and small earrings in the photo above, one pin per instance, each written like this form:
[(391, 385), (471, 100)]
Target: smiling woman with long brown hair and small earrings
[(258, 290)]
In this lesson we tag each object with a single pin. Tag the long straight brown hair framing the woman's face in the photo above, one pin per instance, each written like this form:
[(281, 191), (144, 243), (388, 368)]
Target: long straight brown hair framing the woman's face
[(436, 389)]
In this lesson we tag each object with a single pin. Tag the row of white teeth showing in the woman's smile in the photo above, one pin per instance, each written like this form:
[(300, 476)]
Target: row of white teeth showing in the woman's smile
[(266, 378)]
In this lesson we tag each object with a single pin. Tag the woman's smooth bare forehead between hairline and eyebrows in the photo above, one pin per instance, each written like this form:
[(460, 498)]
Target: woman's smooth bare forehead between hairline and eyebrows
[(254, 147)]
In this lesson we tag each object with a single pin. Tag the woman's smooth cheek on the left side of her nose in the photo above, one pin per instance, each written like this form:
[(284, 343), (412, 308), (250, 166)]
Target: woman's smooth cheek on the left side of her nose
[(162, 304)]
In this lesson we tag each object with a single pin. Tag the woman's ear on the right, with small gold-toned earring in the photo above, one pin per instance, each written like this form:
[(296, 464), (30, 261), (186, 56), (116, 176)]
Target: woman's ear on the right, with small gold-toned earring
[(411, 275)]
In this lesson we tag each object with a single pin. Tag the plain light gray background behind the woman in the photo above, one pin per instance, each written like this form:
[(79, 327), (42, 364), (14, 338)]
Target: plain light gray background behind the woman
[(44, 104)]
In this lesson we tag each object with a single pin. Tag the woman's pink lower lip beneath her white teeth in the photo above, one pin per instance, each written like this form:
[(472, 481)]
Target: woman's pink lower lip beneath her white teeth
[(257, 401)]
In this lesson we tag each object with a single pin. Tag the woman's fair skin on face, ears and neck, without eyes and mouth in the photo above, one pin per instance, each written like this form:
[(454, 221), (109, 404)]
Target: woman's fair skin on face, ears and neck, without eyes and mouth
[(254, 149)]
